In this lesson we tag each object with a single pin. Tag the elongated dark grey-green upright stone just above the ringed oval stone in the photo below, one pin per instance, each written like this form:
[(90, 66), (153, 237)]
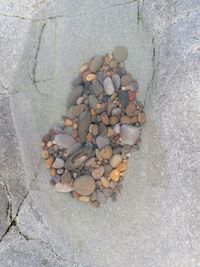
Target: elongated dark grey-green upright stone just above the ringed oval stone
[(84, 123)]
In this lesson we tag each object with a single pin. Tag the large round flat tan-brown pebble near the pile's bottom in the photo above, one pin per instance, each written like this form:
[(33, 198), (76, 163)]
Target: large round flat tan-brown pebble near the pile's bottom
[(84, 185)]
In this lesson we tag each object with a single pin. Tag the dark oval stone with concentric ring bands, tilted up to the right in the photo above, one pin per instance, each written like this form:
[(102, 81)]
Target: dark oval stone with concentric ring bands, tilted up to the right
[(78, 158)]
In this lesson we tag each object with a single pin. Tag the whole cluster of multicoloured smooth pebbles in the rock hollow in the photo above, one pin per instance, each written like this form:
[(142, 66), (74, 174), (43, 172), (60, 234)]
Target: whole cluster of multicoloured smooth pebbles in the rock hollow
[(88, 156)]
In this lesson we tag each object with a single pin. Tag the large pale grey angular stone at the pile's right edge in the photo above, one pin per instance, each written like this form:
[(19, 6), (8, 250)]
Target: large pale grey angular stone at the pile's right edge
[(129, 134)]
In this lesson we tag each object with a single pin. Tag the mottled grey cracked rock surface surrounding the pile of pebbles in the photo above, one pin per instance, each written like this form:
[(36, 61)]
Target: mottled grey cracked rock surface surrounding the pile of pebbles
[(156, 221)]
